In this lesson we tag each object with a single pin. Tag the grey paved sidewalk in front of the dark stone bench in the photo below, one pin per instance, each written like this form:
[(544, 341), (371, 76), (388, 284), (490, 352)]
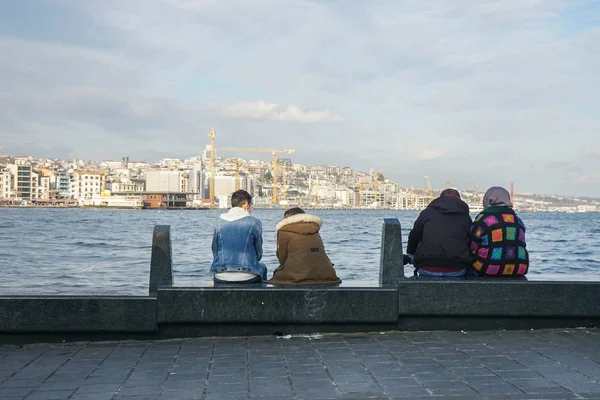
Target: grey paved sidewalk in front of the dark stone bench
[(547, 364)]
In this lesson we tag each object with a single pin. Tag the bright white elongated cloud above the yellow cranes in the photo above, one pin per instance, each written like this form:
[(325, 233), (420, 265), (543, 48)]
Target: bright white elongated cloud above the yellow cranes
[(263, 110)]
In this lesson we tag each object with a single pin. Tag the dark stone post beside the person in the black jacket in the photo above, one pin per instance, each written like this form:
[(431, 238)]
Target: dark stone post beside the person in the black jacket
[(391, 265)]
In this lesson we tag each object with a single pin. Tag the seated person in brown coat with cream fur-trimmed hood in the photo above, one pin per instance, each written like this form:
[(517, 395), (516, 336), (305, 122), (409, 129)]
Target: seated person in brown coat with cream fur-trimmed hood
[(301, 252)]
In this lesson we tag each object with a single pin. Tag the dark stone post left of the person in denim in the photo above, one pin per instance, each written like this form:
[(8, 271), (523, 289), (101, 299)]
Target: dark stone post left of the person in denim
[(161, 262)]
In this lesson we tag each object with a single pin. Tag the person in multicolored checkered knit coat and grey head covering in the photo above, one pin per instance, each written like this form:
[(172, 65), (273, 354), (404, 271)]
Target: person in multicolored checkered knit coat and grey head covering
[(497, 239)]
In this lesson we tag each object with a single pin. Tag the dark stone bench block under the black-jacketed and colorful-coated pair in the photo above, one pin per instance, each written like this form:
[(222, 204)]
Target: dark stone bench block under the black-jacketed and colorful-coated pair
[(498, 298)]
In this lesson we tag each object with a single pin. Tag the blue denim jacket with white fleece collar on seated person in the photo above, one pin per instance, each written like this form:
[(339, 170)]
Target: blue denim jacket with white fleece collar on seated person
[(237, 243)]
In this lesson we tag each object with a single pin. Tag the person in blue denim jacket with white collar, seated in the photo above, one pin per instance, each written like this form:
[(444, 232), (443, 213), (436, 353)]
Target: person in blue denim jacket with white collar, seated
[(237, 244)]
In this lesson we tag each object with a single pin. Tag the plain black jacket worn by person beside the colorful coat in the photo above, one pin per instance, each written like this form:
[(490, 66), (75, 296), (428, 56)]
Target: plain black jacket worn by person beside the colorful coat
[(439, 237)]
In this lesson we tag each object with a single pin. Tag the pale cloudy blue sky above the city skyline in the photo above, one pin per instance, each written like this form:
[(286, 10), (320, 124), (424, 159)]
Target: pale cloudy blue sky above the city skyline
[(478, 92)]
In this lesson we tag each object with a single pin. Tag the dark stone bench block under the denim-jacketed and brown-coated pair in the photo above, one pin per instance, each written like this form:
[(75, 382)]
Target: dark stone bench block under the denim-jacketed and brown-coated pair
[(314, 305)]
